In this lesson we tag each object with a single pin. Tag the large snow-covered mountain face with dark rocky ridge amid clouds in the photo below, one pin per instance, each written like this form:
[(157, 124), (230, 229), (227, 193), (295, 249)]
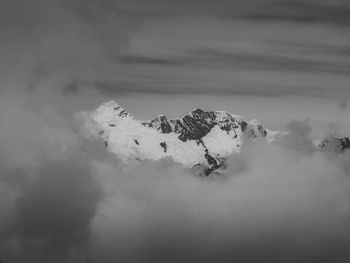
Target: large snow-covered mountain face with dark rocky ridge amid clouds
[(203, 138)]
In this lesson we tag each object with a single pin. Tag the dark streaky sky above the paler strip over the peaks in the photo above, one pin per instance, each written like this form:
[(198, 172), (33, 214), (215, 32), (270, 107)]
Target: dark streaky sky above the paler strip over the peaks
[(166, 46)]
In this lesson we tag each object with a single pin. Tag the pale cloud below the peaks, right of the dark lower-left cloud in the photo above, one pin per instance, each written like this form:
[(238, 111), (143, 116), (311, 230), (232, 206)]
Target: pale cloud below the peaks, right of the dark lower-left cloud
[(283, 205)]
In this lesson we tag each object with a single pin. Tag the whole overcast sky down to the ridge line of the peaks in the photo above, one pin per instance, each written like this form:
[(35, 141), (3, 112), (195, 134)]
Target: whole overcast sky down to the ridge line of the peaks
[(273, 60)]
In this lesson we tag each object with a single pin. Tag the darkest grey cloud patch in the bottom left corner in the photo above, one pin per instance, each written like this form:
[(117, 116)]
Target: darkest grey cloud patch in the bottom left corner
[(53, 214)]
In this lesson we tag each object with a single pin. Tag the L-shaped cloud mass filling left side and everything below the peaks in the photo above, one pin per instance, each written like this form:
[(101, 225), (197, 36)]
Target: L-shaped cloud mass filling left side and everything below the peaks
[(64, 199)]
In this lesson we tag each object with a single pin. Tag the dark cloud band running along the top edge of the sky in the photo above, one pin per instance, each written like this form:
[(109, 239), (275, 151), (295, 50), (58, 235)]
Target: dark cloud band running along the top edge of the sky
[(302, 11)]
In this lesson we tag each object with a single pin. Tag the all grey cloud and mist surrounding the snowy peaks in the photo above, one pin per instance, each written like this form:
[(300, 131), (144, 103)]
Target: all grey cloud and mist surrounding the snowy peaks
[(64, 198)]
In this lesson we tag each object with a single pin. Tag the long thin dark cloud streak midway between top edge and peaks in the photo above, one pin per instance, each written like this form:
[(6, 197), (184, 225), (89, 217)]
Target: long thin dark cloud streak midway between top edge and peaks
[(217, 59)]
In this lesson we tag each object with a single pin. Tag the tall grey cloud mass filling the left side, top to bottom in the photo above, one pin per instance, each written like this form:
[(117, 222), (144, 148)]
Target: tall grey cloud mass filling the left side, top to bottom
[(48, 192)]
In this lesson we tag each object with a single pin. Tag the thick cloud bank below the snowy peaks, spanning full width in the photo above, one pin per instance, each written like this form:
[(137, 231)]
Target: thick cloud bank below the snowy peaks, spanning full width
[(64, 199)]
